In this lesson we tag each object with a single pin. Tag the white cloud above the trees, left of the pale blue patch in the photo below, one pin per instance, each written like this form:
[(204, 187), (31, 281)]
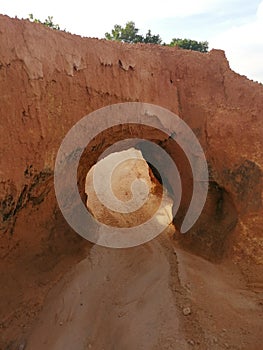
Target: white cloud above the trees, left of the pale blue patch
[(93, 18)]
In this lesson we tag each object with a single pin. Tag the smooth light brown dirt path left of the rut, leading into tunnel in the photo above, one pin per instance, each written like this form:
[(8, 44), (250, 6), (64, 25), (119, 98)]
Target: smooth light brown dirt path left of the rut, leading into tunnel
[(114, 299)]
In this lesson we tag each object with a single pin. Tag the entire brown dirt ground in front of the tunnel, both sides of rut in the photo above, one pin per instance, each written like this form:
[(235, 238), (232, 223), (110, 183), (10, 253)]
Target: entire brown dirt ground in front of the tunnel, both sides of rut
[(140, 298)]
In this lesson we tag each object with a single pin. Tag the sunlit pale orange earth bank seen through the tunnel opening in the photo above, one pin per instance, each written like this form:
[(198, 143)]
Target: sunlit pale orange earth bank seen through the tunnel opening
[(144, 200)]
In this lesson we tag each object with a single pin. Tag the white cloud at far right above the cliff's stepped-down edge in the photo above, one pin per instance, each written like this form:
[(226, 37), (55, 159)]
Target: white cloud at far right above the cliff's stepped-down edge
[(244, 46)]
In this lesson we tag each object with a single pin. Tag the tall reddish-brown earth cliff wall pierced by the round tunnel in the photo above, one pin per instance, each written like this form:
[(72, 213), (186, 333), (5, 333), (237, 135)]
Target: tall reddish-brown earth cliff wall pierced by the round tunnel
[(49, 80)]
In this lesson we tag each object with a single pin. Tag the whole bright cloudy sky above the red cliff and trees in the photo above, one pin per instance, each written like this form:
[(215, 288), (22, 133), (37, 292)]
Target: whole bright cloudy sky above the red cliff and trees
[(235, 26)]
